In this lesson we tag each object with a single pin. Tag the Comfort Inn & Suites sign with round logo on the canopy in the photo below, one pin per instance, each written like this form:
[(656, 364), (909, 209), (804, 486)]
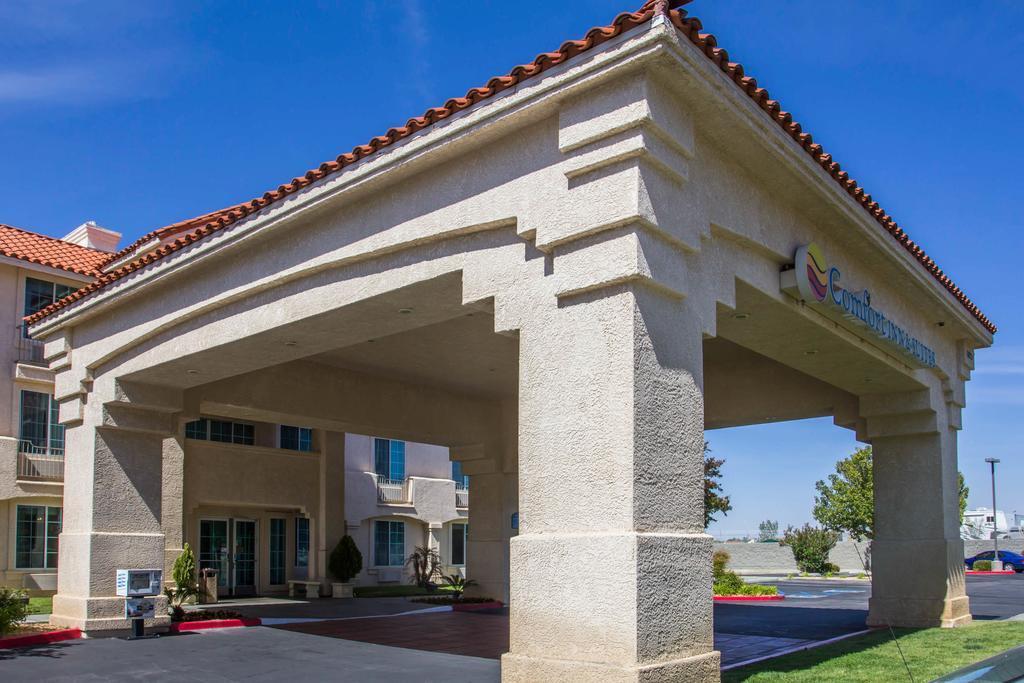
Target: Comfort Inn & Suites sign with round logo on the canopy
[(820, 286)]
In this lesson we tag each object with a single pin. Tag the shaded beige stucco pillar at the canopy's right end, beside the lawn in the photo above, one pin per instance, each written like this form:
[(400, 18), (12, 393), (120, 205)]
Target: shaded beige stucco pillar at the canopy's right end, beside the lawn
[(917, 556)]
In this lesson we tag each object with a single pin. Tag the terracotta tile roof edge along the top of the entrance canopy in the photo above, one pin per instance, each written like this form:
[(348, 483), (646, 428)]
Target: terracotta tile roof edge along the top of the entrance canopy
[(690, 27)]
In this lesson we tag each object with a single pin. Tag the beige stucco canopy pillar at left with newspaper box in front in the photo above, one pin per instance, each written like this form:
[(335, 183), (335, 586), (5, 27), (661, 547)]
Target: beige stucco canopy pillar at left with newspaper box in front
[(113, 516)]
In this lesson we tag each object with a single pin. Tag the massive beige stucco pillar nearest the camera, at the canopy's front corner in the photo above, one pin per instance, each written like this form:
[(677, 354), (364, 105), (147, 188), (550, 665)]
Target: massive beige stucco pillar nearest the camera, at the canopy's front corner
[(611, 573)]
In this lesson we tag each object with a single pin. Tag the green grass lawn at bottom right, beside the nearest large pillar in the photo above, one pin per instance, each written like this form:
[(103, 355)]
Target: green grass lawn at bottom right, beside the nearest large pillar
[(930, 654)]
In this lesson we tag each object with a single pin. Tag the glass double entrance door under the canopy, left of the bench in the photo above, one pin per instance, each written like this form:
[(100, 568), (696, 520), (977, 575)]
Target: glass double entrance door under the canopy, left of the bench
[(230, 547)]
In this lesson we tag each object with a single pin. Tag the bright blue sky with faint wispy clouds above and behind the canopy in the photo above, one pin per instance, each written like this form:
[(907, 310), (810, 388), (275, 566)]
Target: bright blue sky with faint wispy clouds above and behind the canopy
[(138, 115)]
